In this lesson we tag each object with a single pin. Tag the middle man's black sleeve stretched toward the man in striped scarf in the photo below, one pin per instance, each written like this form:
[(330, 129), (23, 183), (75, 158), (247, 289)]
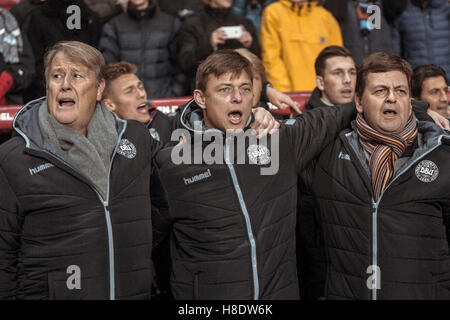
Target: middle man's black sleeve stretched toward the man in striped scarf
[(313, 130)]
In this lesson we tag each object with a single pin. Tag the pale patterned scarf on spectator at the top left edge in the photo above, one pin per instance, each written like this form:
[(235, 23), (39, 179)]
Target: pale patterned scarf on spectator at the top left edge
[(11, 44)]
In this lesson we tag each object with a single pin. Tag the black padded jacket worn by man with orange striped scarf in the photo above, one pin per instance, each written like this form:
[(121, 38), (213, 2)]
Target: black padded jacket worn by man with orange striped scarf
[(393, 248)]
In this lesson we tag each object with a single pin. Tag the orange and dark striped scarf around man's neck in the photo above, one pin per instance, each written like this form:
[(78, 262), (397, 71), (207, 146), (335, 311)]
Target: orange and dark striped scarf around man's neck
[(384, 150)]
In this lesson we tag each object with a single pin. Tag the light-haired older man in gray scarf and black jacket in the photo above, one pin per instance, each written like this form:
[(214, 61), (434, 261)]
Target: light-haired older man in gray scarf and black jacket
[(75, 209)]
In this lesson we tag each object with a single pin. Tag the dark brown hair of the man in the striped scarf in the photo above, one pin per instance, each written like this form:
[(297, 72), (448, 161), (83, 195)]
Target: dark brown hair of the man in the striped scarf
[(381, 62)]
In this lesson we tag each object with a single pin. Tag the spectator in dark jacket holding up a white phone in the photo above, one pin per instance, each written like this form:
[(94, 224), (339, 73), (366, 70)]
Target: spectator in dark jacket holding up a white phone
[(201, 35)]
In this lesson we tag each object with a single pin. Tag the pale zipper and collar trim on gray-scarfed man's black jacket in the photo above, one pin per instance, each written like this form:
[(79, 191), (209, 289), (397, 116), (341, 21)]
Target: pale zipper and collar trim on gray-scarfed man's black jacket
[(105, 204)]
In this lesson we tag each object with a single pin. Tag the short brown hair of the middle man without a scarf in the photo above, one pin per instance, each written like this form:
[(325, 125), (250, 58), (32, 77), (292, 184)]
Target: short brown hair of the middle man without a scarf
[(219, 63)]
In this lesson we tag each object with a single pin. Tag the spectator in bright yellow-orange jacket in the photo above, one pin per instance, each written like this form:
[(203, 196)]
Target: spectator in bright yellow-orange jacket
[(293, 32)]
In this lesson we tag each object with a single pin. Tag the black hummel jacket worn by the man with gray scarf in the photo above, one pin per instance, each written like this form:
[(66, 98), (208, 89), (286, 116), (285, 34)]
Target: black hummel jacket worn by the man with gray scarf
[(54, 224)]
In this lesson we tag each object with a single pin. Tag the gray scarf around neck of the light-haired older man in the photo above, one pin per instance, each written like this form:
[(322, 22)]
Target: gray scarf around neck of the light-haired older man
[(91, 154)]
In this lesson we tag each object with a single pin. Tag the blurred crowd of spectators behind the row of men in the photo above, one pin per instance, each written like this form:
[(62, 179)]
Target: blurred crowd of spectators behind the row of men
[(167, 40)]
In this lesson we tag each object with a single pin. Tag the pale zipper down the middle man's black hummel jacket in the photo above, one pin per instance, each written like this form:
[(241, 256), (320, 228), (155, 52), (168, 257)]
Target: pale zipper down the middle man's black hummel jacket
[(247, 219)]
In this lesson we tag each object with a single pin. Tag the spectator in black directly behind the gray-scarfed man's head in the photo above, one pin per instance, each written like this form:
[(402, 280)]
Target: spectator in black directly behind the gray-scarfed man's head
[(49, 24)]
